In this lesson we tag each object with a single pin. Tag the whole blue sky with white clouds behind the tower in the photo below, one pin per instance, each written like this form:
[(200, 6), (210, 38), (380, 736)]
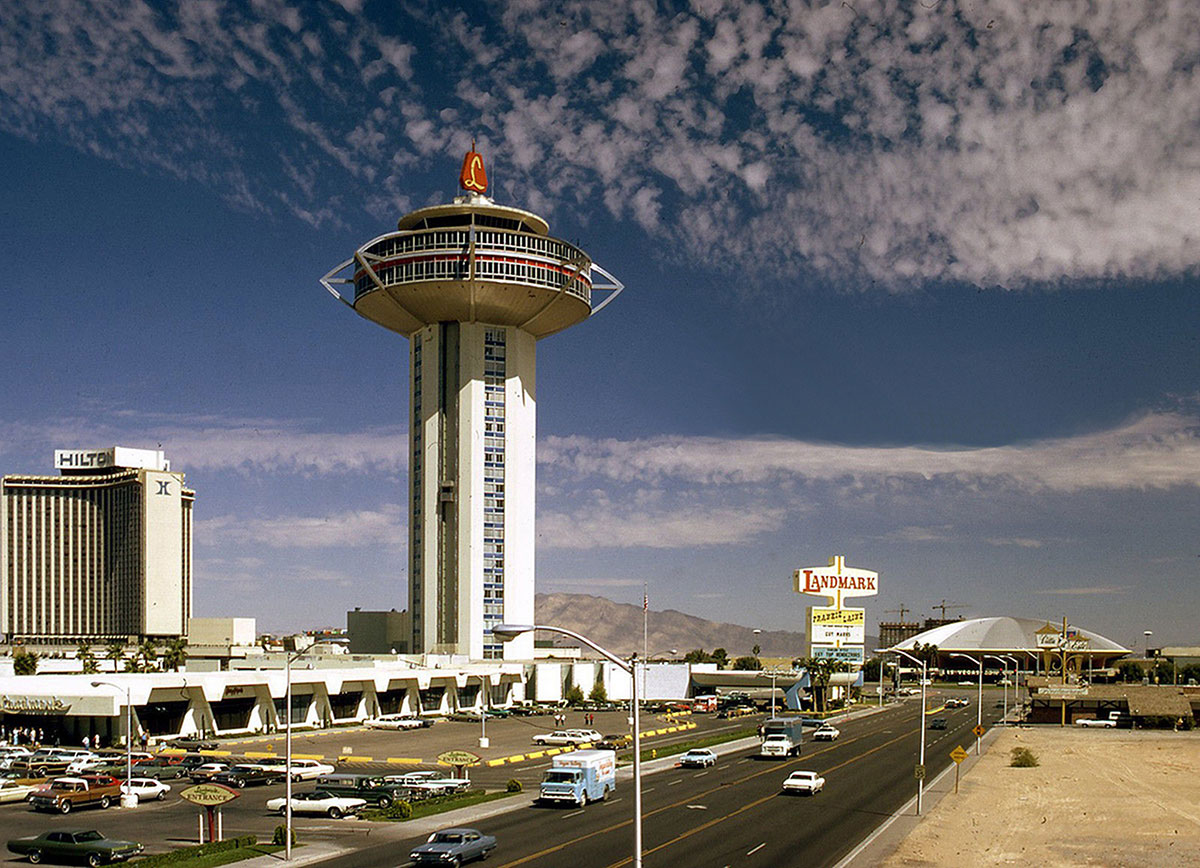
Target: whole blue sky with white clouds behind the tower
[(913, 285)]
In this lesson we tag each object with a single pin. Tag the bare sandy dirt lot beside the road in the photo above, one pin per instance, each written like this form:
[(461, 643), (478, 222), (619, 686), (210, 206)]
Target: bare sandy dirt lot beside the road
[(1100, 798)]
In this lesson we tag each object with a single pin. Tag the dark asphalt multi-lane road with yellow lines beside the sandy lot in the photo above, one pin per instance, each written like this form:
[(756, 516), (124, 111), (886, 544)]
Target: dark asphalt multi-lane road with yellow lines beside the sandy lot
[(733, 815)]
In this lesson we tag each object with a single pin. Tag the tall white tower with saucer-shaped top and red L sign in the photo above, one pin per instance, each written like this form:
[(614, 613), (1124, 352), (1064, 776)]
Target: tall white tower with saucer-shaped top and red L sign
[(473, 286)]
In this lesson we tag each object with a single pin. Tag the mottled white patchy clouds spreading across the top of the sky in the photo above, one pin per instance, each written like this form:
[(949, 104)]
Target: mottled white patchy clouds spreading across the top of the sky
[(1004, 143)]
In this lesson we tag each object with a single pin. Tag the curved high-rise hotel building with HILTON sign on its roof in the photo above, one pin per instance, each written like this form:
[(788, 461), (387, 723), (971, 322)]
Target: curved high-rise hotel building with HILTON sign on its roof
[(101, 553)]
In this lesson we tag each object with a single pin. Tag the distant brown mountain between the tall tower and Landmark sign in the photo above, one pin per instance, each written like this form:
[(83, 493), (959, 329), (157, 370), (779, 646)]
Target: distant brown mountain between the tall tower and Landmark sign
[(619, 628)]
